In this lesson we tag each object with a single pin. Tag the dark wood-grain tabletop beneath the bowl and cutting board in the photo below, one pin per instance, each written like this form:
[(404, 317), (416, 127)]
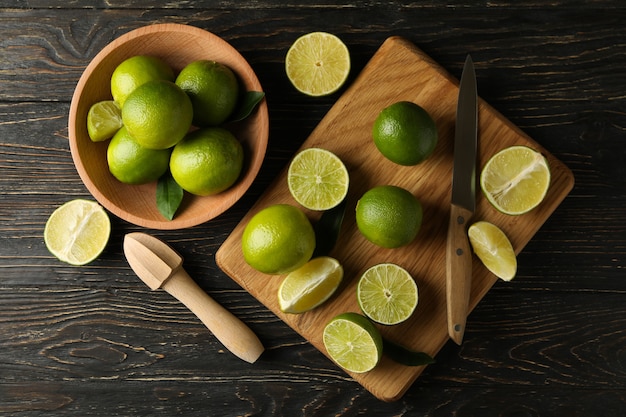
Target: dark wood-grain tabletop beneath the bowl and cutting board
[(94, 341)]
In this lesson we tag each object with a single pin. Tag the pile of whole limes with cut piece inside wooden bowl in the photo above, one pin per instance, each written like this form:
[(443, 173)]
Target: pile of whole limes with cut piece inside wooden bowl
[(150, 119)]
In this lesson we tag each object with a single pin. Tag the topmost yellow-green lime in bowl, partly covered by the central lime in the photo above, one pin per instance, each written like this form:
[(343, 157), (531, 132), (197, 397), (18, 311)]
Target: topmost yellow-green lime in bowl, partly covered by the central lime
[(135, 71)]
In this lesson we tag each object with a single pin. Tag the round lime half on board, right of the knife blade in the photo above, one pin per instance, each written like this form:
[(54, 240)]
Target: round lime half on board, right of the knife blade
[(515, 180)]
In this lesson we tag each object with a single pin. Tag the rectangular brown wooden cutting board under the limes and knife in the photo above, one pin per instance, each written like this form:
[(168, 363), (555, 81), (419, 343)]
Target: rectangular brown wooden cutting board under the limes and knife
[(398, 71)]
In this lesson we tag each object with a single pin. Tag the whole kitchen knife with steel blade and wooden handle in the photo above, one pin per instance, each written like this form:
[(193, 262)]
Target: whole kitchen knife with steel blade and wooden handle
[(463, 203)]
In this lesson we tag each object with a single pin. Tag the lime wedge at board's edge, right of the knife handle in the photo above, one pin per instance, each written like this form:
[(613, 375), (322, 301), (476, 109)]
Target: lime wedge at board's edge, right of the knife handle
[(494, 249)]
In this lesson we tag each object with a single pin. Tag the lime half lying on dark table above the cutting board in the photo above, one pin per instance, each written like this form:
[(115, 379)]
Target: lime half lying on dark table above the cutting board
[(318, 64)]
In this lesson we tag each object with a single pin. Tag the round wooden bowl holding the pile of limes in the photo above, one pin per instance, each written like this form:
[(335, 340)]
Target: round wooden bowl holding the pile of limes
[(177, 45)]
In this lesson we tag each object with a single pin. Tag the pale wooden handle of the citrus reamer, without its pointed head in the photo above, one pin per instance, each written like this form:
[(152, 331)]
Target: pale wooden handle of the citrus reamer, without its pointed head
[(228, 329)]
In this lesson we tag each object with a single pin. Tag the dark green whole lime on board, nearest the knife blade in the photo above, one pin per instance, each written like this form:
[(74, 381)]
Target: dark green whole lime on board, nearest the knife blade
[(405, 133)]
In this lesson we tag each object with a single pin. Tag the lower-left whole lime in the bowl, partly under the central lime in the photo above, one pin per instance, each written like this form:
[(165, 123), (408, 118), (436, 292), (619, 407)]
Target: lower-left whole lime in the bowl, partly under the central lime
[(131, 163)]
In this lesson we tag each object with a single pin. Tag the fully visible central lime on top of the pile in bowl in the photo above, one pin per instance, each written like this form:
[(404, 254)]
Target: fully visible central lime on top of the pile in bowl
[(157, 114)]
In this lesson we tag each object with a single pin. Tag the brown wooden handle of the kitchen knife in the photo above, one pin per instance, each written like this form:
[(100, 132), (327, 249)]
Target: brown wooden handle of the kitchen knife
[(458, 272)]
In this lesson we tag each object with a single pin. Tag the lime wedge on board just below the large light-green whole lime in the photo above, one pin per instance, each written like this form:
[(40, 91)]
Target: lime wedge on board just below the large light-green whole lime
[(310, 285)]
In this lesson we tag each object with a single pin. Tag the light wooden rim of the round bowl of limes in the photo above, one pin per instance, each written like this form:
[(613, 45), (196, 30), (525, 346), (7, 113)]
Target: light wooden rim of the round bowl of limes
[(233, 194)]
